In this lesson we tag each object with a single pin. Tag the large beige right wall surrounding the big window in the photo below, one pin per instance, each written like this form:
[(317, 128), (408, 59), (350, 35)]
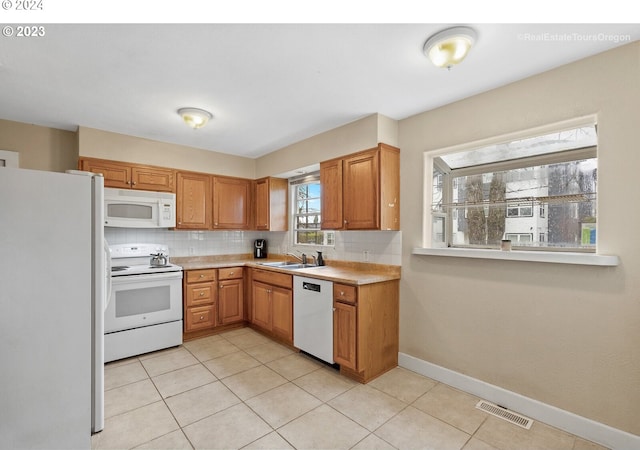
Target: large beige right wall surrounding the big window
[(565, 335)]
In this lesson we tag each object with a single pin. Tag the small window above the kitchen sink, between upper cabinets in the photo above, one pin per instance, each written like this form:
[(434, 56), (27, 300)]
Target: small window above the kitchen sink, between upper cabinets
[(307, 213)]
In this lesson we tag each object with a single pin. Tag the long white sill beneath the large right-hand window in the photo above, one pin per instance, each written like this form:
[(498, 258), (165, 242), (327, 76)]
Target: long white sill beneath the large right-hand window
[(588, 259)]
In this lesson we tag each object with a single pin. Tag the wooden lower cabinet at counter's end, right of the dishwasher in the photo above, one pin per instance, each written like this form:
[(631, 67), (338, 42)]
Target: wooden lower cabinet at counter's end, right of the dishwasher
[(366, 329)]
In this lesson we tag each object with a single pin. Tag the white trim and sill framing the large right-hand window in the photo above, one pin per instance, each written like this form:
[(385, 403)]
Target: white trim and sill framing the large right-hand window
[(593, 259)]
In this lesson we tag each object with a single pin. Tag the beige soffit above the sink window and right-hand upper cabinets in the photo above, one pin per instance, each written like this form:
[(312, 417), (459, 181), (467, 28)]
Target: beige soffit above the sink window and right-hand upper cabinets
[(359, 135)]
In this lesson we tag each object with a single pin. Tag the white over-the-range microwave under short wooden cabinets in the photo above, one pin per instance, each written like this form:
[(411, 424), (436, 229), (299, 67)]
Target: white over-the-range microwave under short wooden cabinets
[(126, 208)]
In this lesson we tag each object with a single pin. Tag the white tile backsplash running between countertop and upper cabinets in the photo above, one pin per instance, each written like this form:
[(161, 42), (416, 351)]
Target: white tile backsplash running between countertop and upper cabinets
[(382, 247)]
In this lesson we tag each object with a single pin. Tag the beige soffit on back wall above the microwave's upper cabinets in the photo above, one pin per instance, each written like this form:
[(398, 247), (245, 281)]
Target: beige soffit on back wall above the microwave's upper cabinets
[(121, 147)]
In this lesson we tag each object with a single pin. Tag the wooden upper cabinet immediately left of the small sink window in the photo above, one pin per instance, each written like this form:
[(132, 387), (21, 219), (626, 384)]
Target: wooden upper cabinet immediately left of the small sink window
[(271, 200)]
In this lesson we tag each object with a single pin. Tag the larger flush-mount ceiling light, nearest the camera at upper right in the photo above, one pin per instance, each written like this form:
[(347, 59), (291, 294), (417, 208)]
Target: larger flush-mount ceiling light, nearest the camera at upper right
[(449, 47)]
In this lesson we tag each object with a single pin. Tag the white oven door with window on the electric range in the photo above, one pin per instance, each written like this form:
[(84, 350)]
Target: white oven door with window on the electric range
[(142, 300)]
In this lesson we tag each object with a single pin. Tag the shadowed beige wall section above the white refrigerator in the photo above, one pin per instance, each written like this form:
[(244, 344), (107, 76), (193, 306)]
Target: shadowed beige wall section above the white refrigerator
[(40, 148)]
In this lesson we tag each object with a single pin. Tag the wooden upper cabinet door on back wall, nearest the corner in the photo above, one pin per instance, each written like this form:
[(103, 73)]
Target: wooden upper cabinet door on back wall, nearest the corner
[(231, 201)]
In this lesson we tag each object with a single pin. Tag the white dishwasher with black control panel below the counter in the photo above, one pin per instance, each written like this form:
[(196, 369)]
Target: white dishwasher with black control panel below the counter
[(313, 317)]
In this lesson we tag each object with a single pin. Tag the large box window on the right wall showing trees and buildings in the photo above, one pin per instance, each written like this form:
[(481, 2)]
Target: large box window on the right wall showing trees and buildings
[(539, 191)]
